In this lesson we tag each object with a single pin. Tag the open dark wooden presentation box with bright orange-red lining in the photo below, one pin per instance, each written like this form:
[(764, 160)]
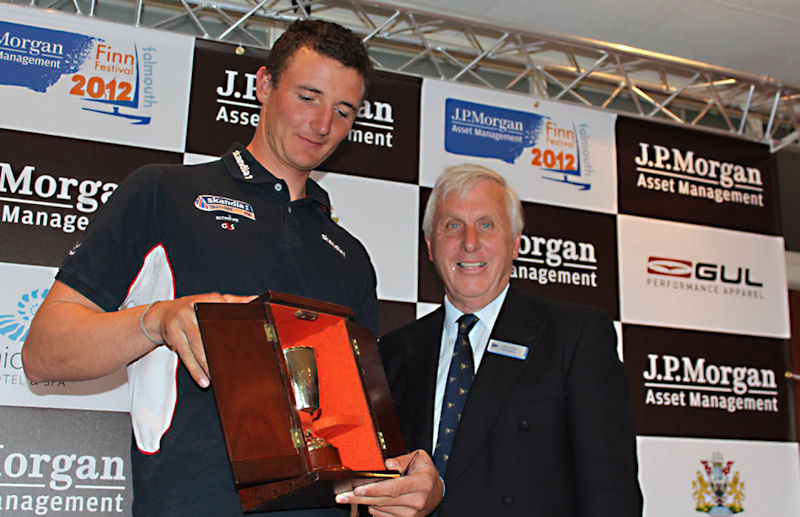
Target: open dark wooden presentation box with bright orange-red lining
[(272, 466)]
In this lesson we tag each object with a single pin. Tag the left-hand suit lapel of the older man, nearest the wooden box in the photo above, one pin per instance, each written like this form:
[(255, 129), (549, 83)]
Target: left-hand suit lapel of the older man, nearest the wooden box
[(423, 360)]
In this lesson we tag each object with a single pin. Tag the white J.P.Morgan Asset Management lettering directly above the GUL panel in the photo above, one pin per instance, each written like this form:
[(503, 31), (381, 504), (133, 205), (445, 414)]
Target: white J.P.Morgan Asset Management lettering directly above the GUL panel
[(672, 170)]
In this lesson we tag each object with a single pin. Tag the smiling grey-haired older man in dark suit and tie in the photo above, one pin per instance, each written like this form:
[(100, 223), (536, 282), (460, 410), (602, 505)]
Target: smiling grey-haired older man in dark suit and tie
[(521, 401)]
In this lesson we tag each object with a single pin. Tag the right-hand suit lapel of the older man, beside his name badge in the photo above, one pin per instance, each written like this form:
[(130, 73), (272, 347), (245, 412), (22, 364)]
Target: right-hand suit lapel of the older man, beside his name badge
[(518, 322)]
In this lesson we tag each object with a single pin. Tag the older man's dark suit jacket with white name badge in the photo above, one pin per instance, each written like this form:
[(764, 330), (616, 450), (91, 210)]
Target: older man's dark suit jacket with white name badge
[(548, 436)]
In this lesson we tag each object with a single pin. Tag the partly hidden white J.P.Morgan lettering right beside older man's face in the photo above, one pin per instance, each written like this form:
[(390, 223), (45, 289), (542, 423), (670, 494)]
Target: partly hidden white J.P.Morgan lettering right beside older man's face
[(556, 261)]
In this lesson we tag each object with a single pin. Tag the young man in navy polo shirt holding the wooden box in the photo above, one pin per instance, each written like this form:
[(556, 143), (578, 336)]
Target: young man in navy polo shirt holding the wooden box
[(172, 236)]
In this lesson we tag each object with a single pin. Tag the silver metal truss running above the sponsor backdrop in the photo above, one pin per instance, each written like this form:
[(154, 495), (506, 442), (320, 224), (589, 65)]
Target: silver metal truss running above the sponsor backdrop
[(426, 43)]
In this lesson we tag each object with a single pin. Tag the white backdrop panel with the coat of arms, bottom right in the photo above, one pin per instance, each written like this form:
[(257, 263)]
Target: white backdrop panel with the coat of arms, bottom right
[(752, 479)]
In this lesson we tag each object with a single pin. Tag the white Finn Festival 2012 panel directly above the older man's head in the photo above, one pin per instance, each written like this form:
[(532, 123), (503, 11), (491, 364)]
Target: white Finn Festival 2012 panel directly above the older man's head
[(549, 152)]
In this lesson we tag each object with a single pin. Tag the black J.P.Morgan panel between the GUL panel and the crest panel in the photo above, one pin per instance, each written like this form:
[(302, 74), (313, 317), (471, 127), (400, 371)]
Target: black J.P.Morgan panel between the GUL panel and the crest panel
[(702, 384)]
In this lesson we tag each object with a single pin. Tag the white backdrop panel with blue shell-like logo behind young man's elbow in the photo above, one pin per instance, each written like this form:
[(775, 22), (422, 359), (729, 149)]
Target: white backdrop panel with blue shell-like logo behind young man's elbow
[(24, 288)]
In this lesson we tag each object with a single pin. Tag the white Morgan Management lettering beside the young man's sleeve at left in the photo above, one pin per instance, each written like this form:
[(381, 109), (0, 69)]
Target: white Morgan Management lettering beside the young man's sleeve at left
[(53, 194)]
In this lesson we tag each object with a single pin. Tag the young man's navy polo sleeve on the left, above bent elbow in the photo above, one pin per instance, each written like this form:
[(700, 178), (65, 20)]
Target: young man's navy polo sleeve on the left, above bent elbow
[(105, 262)]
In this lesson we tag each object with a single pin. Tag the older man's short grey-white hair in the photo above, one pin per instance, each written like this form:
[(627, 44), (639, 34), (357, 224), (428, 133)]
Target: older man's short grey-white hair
[(459, 180)]
